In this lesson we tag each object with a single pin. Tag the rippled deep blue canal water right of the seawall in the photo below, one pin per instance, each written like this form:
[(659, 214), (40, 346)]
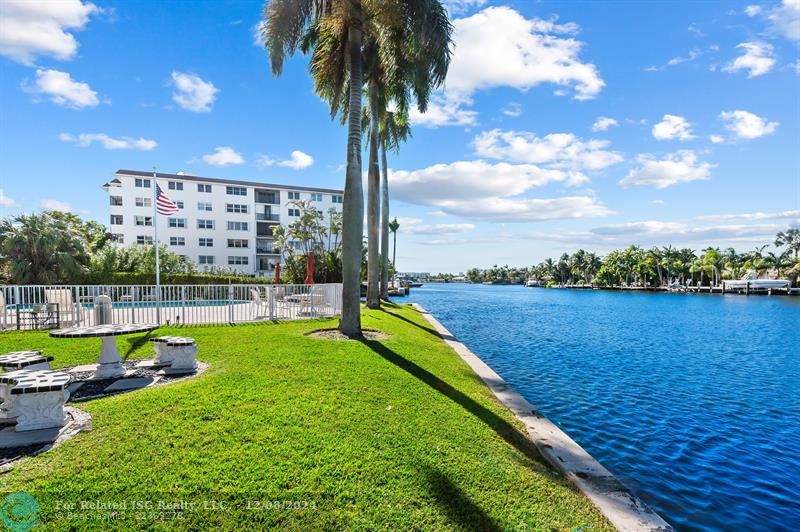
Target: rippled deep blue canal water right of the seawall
[(693, 401)]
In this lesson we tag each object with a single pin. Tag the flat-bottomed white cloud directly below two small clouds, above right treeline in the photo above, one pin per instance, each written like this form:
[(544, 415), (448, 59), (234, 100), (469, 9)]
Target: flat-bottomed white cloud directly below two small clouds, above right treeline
[(679, 167)]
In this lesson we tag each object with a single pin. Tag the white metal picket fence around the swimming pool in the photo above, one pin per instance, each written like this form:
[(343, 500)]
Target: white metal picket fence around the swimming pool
[(175, 304)]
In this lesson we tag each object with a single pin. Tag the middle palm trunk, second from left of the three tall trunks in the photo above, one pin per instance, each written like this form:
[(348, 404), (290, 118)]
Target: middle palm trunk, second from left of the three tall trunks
[(373, 206)]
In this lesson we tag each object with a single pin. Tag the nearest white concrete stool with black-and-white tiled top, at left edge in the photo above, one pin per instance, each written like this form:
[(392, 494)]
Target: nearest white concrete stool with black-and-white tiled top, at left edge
[(34, 397)]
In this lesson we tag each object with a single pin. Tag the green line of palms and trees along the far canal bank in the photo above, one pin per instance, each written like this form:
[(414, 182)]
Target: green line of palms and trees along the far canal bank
[(655, 267)]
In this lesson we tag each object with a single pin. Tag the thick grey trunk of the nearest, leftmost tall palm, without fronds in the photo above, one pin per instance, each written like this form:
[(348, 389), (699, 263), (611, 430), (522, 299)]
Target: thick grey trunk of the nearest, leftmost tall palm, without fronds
[(353, 206)]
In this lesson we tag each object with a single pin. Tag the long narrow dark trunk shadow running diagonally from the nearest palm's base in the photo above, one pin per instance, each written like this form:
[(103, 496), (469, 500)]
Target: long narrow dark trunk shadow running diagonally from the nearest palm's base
[(503, 428)]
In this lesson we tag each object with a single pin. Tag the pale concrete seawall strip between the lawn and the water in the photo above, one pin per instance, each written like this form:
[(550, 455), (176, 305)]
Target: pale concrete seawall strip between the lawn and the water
[(624, 510)]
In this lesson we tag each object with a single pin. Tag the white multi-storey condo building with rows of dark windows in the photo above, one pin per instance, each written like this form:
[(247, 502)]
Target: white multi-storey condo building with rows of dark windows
[(222, 222)]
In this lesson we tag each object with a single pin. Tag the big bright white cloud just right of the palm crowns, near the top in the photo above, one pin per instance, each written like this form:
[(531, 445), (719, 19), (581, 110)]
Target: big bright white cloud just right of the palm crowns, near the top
[(500, 47)]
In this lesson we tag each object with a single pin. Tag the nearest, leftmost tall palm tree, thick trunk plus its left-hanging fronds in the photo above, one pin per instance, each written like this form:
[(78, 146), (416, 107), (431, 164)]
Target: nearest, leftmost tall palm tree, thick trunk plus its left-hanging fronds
[(331, 30)]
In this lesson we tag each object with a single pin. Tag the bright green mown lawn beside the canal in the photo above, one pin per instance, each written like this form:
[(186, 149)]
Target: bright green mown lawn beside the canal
[(390, 435)]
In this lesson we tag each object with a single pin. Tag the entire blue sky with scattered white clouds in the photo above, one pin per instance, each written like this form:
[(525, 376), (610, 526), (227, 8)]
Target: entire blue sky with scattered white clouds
[(562, 124)]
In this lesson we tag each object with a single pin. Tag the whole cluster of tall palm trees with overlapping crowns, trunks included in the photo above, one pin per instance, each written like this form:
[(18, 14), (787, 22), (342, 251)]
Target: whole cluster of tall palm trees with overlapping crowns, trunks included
[(398, 49)]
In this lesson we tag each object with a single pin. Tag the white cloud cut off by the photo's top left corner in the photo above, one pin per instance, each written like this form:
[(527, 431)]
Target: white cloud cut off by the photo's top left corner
[(29, 28)]
